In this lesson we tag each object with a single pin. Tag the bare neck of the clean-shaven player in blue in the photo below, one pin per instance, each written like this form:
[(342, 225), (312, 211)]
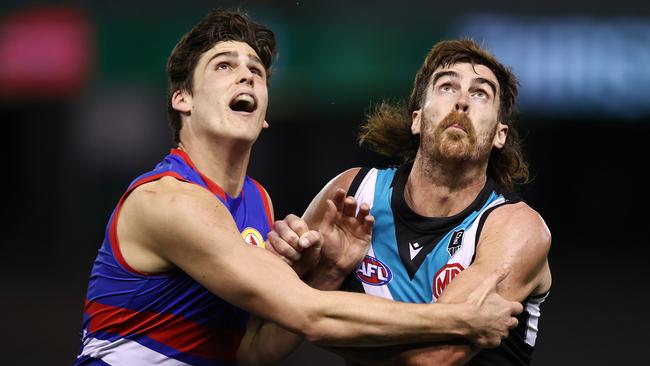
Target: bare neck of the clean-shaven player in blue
[(224, 164)]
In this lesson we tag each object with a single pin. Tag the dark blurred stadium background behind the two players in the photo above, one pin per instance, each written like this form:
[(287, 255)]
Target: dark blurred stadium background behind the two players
[(75, 139)]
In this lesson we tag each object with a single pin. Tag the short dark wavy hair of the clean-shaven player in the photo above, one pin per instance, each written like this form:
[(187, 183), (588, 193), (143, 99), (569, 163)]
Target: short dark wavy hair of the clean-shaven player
[(217, 26)]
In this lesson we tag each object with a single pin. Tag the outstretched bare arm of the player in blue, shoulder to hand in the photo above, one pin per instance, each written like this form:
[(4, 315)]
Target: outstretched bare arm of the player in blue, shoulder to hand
[(185, 226)]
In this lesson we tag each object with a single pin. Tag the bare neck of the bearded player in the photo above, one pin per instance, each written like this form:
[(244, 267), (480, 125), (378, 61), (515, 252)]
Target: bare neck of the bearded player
[(440, 190)]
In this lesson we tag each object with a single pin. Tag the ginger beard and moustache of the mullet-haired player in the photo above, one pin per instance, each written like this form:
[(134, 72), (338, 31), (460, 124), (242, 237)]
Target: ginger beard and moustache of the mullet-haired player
[(454, 139)]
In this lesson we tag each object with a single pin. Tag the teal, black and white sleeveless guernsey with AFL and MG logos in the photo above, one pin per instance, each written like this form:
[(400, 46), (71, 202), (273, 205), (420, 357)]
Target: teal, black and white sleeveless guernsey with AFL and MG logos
[(413, 258)]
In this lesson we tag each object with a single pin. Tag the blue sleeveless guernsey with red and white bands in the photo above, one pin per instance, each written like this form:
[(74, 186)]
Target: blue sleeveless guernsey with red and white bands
[(133, 318)]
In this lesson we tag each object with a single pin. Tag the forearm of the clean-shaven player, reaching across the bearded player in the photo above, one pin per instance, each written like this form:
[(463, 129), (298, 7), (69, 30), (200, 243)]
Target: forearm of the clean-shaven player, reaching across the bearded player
[(338, 318)]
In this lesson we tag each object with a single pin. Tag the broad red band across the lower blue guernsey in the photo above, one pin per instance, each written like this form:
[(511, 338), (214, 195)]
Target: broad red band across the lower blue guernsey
[(173, 331)]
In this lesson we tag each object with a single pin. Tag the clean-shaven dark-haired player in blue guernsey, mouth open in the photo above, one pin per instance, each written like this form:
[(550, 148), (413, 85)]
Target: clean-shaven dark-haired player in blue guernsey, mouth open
[(182, 260)]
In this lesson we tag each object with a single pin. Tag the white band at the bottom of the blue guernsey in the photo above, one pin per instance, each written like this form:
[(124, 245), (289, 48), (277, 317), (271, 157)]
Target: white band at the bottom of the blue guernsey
[(125, 352)]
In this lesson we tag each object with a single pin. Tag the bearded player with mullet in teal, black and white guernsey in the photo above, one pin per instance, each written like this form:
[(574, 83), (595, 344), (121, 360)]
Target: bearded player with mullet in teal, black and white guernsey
[(448, 216)]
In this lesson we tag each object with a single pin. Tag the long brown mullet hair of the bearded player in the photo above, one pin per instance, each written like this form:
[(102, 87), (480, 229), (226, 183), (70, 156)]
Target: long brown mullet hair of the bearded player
[(387, 129)]
